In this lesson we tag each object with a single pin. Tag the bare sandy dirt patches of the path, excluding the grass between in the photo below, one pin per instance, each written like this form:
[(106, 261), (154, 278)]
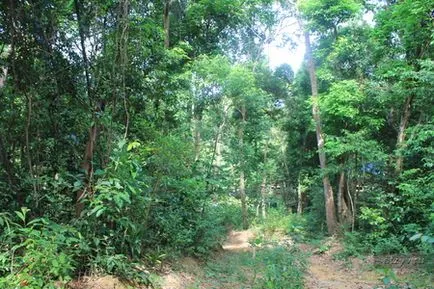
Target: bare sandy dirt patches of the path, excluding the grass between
[(324, 271)]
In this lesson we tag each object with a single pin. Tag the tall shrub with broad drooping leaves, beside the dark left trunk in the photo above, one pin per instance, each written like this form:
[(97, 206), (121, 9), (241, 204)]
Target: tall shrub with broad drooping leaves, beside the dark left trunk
[(118, 208)]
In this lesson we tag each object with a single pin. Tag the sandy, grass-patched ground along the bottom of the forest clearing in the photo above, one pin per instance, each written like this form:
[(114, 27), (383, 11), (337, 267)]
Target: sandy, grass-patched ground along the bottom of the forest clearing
[(242, 264)]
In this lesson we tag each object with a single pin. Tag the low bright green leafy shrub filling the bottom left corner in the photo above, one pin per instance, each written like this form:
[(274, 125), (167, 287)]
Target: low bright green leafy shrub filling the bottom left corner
[(36, 253)]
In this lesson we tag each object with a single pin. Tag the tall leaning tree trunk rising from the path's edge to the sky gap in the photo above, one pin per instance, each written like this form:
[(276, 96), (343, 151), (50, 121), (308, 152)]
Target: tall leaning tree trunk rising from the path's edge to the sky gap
[(328, 190)]
